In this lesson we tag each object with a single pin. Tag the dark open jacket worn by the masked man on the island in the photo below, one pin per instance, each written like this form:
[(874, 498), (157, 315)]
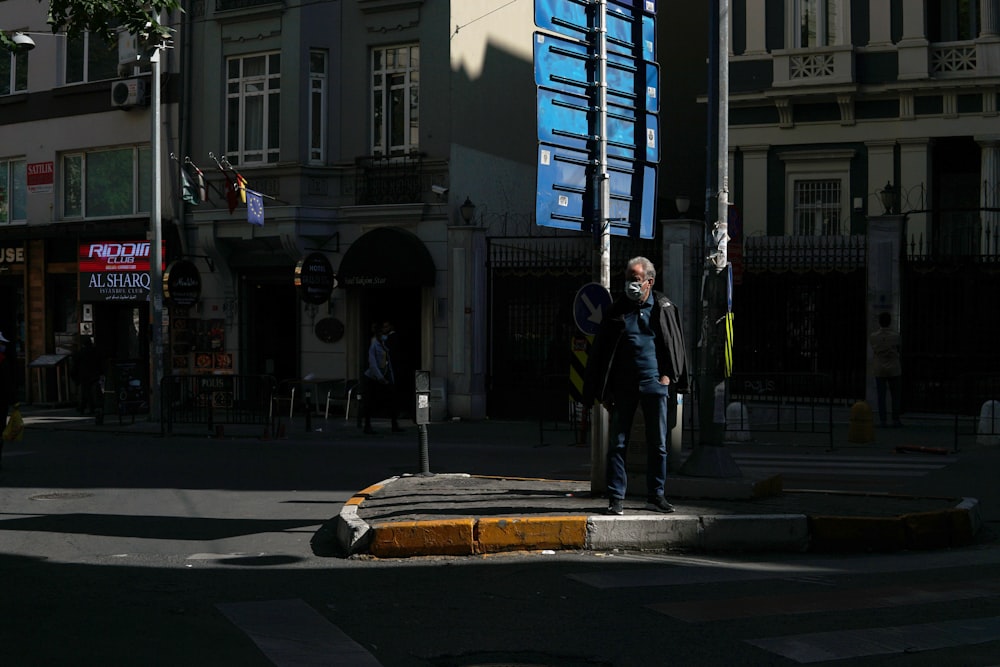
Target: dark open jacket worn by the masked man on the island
[(671, 355)]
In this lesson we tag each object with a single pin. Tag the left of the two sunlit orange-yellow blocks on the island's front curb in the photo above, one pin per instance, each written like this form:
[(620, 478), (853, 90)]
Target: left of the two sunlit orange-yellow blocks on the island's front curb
[(449, 537)]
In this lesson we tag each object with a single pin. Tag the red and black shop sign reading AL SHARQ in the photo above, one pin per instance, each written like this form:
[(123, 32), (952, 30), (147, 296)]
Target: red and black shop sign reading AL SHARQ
[(114, 271)]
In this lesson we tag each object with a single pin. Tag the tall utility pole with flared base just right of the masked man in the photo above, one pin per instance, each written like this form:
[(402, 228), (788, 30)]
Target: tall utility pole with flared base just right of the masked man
[(710, 457)]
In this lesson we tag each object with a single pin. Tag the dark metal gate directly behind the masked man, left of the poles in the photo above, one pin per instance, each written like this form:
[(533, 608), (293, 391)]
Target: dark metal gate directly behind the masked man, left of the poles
[(532, 282)]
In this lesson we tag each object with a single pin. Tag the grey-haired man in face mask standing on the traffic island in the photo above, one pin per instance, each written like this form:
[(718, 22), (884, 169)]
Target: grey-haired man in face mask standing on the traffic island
[(637, 358)]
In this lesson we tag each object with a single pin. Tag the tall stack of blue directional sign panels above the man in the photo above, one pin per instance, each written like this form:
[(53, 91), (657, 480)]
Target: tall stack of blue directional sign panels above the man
[(567, 115)]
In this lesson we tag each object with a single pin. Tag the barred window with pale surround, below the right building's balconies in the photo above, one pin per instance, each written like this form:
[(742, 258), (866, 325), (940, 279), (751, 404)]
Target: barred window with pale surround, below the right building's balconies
[(817, 189)]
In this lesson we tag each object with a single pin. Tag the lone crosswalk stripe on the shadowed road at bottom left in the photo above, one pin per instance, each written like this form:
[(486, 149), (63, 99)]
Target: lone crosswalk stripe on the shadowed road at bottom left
[(293, 634)]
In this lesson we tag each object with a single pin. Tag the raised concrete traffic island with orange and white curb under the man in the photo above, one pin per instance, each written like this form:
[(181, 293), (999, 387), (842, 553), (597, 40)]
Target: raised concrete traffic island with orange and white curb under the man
[(464, 515)]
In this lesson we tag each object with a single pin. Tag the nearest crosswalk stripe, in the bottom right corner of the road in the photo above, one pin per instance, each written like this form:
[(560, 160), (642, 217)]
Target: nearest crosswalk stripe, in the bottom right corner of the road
[(844, 644)]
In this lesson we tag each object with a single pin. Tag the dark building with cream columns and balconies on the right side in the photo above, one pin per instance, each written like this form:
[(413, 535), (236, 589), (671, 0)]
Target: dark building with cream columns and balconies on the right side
[(864, 137)]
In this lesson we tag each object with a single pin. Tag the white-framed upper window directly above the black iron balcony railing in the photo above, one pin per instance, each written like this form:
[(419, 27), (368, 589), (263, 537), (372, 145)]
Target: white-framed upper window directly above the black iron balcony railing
[(395, 99)]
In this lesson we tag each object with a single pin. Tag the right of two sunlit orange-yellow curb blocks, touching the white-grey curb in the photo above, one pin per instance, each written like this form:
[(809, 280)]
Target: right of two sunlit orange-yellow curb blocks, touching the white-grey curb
[(549, 532)]
